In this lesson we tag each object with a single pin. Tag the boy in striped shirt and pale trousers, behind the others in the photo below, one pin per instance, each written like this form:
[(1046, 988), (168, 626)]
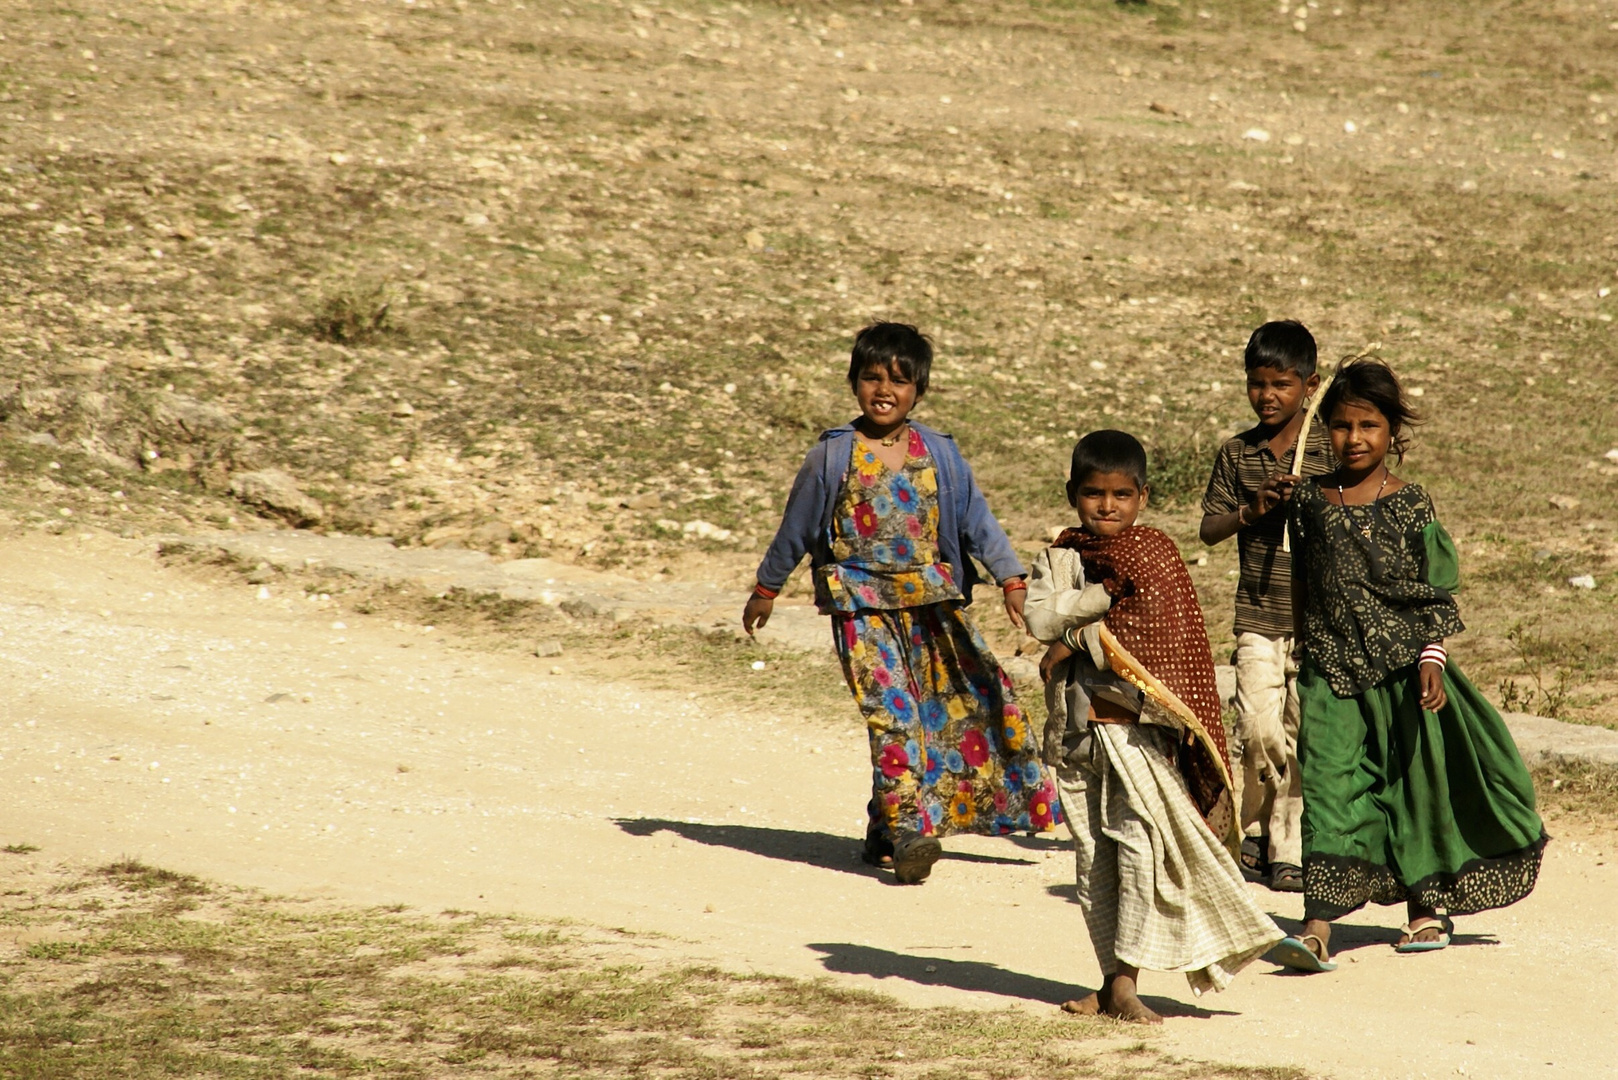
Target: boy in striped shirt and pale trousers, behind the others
[(1250, 483)]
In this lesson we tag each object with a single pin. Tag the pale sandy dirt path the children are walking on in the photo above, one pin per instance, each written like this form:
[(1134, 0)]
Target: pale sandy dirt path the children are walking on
[(260, 742)]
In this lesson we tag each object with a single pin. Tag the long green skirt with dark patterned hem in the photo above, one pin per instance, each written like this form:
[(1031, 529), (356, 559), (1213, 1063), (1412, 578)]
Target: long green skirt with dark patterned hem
[(1402, 804)]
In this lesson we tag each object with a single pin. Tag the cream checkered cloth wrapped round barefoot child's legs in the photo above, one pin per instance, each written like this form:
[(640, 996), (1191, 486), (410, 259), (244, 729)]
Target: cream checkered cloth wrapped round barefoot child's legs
[(1158, 888)]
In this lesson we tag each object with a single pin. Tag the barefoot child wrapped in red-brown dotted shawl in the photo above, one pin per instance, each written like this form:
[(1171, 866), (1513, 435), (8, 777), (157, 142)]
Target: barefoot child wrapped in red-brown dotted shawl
[(1137, 742)]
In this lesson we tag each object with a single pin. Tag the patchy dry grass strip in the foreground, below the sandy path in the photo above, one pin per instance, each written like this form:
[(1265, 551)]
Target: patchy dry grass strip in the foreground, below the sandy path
[(142, 972)]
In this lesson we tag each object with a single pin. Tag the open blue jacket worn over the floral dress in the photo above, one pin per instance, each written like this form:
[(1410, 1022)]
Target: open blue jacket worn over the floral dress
[(965, 524)]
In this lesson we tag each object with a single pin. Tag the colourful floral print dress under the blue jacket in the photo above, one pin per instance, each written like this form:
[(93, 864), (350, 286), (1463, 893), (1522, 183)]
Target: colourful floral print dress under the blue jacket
[(951, 749)]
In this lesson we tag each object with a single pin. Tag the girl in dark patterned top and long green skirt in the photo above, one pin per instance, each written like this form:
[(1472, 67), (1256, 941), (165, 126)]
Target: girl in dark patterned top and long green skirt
[(1413, 788)]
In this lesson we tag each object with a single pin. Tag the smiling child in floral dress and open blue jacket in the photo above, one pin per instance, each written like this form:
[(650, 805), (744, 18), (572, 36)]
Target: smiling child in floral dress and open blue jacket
[(891, 517)]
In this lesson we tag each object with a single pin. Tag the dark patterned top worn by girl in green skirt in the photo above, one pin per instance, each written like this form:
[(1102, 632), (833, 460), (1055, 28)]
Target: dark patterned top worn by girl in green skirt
[(1379, 582)]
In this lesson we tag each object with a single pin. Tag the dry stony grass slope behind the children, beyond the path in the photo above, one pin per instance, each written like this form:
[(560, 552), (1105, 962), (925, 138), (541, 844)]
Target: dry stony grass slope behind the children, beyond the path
[(598, 219)]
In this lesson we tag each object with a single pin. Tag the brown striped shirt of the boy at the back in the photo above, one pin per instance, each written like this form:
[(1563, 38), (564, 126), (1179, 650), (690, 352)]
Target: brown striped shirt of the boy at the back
[(1264, 593)]
